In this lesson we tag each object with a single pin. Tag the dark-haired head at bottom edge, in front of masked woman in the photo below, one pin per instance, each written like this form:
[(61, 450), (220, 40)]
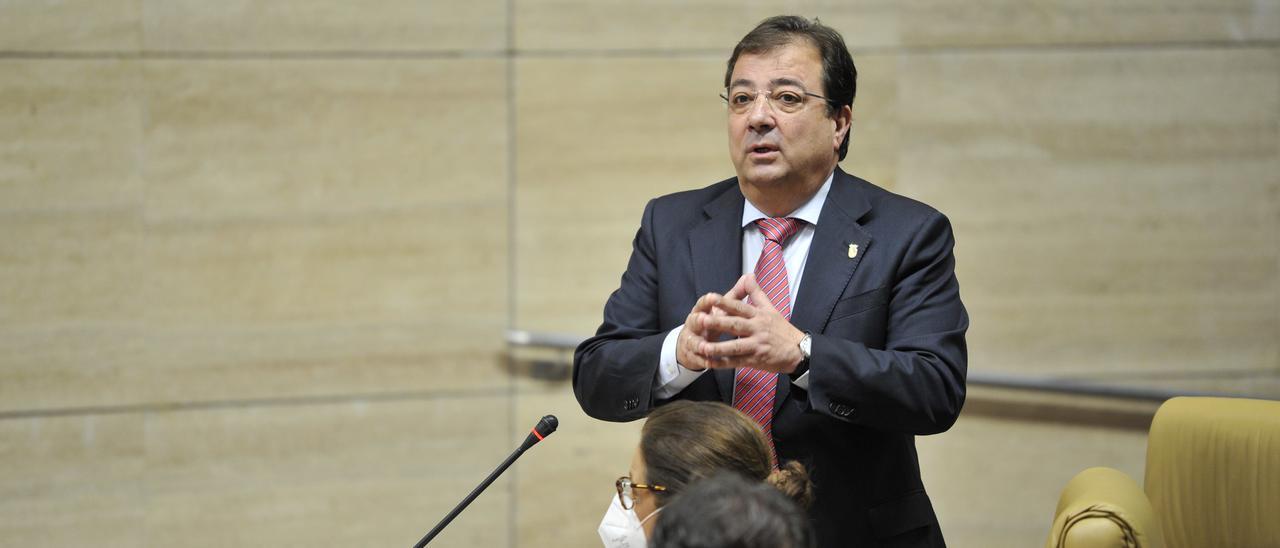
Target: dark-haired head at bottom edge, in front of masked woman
[(728, 512)]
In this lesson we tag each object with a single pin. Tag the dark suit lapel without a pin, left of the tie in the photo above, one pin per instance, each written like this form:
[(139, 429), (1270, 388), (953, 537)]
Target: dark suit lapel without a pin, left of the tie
[(717, 259)]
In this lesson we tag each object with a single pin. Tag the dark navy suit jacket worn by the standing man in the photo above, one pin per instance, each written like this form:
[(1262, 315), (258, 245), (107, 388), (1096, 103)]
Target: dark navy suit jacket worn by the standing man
[(889, 353)]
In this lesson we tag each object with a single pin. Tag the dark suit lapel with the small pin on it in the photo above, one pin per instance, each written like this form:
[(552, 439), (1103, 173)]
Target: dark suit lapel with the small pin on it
[(830, 268)]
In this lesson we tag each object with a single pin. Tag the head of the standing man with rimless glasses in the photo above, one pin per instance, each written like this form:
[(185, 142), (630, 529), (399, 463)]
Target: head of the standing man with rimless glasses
[(796, 139)]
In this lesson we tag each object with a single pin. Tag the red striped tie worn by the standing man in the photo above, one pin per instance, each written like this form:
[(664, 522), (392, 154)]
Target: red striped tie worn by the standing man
[(753, 389)]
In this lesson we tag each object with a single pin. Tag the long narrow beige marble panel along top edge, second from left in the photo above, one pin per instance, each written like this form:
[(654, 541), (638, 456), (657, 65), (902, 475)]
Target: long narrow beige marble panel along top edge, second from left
[(324, 26)]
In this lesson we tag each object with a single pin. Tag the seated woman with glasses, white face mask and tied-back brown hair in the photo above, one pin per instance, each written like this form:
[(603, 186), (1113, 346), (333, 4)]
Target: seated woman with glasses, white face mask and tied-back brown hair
[(682, 444)]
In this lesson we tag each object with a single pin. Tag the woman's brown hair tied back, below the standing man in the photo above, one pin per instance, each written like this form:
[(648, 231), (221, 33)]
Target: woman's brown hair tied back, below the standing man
[(684, 442)]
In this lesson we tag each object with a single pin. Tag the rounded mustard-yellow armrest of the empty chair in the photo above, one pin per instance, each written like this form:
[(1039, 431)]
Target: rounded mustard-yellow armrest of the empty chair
[(1103, 509)]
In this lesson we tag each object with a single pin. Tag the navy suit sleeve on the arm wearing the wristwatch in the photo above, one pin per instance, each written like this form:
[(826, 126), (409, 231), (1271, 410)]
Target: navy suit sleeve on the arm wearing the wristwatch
[(917, 382)]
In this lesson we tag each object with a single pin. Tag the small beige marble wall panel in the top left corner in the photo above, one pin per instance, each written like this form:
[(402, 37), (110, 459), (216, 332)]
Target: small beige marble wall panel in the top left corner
[(35, 26)]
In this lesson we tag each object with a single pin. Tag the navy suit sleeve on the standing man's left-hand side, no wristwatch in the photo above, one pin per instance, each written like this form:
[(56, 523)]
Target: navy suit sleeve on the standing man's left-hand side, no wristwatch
[(615, 371)]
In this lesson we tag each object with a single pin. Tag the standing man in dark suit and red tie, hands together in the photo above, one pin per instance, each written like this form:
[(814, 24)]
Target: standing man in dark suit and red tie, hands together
[(819, 304)]
